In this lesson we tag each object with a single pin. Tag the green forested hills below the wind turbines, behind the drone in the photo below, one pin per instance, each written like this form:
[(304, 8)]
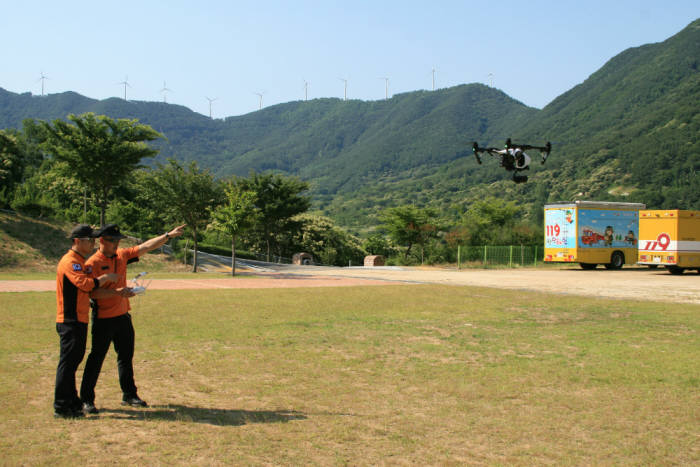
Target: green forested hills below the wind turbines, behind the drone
[(628, 132)]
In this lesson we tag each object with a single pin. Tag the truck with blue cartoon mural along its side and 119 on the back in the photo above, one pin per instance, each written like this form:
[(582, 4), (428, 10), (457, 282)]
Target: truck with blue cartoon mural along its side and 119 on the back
[(592, 233)]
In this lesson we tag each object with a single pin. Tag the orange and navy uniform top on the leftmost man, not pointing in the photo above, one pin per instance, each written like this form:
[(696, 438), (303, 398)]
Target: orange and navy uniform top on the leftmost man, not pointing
[(74, 282)]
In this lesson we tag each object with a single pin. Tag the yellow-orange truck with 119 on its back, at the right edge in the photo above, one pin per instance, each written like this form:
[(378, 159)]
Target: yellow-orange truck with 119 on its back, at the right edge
[(670, 238)]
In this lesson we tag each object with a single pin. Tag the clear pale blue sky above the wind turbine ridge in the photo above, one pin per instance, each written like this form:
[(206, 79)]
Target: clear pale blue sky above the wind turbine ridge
[(231, 50)]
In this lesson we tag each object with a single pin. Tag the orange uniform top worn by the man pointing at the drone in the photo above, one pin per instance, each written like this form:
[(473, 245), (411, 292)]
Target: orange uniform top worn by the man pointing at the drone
[(112, 306)]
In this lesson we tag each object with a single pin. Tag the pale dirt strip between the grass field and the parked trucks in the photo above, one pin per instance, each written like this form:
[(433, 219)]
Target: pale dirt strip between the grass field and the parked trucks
[(628, 283)]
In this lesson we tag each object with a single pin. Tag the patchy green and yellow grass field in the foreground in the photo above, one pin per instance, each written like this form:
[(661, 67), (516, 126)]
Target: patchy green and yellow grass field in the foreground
[(368, 375)]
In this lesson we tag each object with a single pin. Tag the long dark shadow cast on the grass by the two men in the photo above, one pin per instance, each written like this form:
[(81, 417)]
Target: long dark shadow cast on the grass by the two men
[(175, 412)]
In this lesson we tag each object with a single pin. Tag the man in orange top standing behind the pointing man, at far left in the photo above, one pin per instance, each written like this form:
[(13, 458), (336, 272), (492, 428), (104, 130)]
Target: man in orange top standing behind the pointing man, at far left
[(74, 282)]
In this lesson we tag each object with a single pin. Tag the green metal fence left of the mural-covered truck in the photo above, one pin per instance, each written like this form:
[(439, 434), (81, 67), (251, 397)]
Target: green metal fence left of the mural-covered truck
[(510, 255)]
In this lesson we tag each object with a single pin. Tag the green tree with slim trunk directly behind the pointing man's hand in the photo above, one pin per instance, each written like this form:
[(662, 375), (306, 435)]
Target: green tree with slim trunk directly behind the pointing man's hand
[(187, 194)]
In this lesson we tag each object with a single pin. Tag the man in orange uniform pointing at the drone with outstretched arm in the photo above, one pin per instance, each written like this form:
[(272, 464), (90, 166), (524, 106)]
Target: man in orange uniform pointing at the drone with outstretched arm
[(111, 318)]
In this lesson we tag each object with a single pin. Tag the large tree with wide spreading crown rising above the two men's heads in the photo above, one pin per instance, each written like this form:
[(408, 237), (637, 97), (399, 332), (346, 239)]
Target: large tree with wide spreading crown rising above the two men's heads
[(100, 151)]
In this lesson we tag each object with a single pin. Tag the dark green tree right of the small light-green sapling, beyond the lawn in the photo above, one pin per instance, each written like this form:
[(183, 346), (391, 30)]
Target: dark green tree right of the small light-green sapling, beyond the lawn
[(278, 199)]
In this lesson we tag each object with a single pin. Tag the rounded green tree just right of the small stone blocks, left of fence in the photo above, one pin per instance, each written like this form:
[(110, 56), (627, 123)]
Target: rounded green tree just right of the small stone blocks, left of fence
[(409, 225)]
